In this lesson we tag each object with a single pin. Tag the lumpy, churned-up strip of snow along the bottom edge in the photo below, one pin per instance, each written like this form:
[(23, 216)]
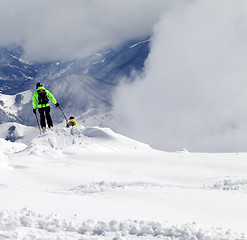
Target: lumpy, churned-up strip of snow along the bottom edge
[(27, 224)]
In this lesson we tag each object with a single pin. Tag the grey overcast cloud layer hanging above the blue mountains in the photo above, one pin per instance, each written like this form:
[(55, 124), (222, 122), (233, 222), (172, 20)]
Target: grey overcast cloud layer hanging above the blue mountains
[(62, 29)]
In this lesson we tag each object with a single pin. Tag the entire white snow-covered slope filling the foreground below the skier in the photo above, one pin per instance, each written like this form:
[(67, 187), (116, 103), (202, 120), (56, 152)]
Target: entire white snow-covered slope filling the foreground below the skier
[(92, 183)]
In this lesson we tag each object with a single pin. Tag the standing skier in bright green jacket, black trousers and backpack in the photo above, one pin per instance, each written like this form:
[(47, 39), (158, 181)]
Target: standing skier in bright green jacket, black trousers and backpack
[(41, 97)]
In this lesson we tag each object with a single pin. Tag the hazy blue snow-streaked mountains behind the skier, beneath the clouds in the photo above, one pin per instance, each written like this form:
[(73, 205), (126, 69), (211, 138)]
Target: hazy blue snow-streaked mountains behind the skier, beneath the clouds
[(79, 85)]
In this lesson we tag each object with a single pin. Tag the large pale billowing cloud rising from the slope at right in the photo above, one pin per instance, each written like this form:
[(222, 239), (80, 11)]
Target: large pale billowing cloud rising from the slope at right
[(193, 91)]
